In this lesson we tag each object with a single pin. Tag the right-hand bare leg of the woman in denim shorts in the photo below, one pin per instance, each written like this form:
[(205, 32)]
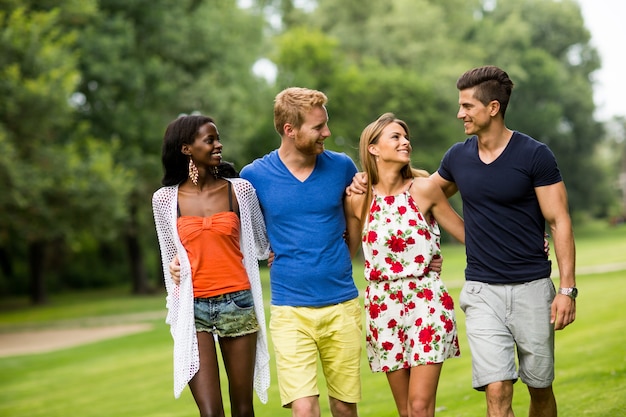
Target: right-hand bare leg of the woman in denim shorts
[(239, 356)]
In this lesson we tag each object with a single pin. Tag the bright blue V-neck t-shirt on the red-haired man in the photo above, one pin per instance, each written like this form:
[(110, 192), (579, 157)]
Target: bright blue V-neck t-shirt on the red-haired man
[(305, 225)]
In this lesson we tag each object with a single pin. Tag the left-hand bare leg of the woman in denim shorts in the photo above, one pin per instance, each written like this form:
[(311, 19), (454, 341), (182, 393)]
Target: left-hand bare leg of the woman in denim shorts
[(205, 385)]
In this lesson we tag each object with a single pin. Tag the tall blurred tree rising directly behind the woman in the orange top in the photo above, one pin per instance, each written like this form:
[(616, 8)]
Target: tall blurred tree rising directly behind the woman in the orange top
[(145, 62)]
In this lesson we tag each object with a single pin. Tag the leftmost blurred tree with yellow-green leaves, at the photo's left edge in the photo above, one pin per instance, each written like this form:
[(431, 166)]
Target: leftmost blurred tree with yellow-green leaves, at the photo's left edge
[(53, 178)]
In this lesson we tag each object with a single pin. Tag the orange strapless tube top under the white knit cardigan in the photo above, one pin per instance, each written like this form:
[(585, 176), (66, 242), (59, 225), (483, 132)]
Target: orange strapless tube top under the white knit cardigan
[(212, 244)]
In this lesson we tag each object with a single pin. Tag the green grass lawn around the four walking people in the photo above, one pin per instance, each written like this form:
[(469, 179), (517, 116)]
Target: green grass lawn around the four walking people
[(132, 375)]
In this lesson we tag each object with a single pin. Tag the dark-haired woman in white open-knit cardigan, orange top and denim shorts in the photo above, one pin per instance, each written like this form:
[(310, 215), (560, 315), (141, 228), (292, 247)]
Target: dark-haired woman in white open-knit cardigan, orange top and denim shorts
[(202, 215)]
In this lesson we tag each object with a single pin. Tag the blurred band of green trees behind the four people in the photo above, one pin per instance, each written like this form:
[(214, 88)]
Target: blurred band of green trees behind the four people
[(87, 88)]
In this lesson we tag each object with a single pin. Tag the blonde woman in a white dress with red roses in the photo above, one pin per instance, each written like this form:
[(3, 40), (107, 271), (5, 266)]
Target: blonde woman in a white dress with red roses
[(410, 320)]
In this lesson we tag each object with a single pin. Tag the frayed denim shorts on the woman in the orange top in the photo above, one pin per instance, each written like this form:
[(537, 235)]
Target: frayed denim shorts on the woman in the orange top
[(226, 315)]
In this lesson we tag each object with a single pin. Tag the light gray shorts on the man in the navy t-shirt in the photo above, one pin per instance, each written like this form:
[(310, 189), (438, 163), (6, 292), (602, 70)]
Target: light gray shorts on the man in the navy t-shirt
[(502, 319)]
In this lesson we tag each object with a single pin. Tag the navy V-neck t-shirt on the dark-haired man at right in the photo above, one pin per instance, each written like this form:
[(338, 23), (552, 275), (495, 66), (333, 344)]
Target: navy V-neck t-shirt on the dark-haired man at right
[(503, 222)]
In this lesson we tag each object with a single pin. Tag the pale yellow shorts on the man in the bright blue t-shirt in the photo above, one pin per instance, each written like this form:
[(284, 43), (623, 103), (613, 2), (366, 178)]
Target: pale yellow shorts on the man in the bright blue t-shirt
[(302, 334)]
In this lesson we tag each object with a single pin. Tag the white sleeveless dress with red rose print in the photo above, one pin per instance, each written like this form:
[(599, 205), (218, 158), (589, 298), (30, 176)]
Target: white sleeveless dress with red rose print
[(410, 316)]
